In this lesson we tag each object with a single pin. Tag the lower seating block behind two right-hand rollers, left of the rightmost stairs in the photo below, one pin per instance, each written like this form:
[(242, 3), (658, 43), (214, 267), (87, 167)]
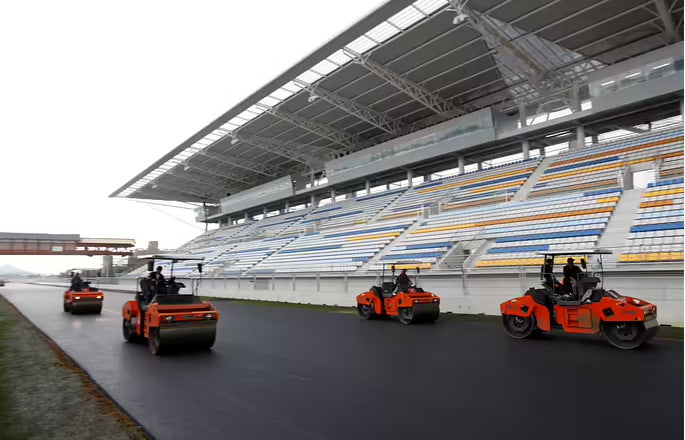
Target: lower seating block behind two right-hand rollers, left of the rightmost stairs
[(518, 230)]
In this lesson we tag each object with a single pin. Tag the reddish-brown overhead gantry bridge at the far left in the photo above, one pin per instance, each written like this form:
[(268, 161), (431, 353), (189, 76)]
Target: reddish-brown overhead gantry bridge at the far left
[(62, 244)]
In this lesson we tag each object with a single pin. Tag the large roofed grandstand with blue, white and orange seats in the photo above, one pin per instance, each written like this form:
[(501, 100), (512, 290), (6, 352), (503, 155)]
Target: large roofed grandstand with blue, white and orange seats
[(463, 136)]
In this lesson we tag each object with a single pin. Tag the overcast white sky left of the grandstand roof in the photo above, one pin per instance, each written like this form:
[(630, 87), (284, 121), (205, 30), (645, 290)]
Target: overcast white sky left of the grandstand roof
[(91, 93)]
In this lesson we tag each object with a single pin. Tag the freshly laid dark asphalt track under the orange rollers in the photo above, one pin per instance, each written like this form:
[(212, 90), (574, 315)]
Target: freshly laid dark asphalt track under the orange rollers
[(283, 373)]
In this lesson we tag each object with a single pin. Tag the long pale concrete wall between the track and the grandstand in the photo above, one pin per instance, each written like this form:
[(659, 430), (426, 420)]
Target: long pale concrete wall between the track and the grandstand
[(474, 294)]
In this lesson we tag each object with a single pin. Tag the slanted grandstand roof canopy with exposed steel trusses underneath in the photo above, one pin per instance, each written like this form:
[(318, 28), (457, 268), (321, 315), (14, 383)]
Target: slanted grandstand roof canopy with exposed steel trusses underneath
[(406, 66)]
